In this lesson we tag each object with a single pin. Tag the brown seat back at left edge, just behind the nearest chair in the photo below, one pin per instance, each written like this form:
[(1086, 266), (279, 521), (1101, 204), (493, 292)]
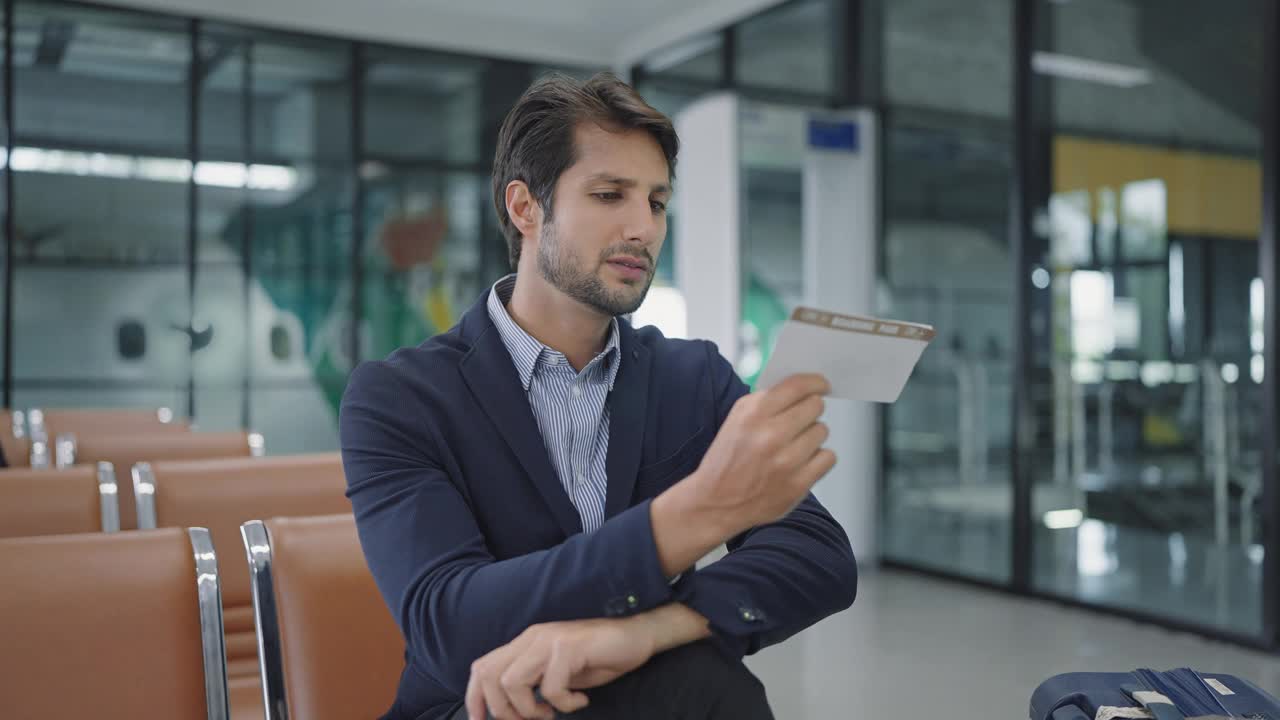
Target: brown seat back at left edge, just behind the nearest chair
[(53, 503)]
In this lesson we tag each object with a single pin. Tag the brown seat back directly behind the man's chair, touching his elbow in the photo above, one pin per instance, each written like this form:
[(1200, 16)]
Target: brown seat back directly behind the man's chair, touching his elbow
[(221, 495)]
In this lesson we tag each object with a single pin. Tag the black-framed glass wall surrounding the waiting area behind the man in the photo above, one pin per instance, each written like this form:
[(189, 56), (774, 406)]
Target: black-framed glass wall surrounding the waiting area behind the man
[(225, 221)]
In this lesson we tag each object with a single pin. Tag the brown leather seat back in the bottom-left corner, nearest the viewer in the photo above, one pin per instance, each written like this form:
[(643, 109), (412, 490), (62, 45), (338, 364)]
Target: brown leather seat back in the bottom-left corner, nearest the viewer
[(112, 627)]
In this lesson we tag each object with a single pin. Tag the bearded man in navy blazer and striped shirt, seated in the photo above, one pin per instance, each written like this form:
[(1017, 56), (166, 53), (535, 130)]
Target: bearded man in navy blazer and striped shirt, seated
[(534, 489)]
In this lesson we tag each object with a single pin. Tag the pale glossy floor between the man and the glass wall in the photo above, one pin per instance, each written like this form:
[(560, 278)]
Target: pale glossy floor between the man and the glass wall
[(920, 649)]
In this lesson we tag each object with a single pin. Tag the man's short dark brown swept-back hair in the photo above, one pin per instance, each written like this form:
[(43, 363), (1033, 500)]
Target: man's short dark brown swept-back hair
[(536, 144)]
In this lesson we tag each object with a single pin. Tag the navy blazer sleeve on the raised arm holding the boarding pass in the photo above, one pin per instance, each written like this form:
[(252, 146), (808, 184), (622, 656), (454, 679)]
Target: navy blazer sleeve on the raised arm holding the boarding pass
[(454, 601)]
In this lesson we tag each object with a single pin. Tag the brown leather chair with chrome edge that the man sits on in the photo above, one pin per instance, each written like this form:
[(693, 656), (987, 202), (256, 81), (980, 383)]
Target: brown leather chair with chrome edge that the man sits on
[(331, 649)]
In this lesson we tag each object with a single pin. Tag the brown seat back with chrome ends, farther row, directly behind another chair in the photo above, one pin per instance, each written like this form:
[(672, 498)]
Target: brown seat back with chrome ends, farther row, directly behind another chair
[(129, 450)]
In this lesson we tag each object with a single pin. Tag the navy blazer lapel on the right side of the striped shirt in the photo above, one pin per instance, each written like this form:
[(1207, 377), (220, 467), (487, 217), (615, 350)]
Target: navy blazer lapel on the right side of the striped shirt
[(629, 404)]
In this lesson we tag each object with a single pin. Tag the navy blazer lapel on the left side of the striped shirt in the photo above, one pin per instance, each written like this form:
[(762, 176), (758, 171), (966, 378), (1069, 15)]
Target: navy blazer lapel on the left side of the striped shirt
[(492, 379)]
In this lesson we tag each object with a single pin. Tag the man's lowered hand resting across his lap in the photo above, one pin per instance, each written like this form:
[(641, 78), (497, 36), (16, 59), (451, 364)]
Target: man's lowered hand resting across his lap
[(563, 659)]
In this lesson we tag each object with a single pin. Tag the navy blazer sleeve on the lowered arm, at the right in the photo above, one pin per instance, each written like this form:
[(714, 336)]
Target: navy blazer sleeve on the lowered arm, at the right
[(778, 580)]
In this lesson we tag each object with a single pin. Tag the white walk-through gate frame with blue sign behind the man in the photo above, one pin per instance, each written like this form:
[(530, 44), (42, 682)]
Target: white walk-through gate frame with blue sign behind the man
[(836, 154)]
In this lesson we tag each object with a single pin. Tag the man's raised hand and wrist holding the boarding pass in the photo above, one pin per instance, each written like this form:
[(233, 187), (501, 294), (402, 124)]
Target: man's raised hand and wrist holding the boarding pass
[(764, 462)]
